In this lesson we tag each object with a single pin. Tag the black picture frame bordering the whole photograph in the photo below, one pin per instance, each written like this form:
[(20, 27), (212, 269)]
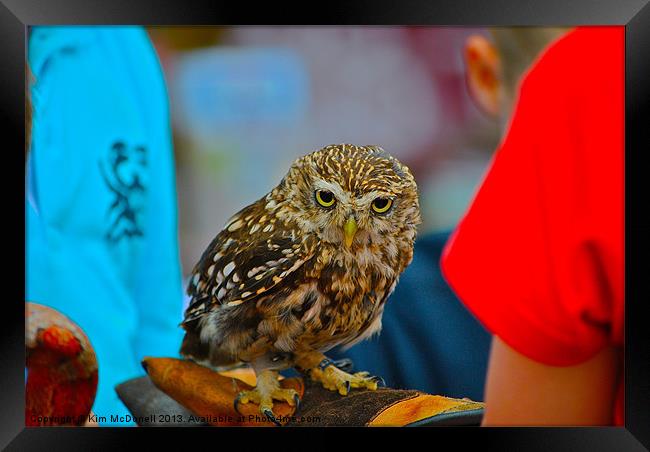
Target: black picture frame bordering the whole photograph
[(15, 15)]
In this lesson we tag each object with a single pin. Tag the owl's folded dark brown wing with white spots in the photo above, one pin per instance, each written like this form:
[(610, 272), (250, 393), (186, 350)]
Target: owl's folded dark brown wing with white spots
[(253, 254)]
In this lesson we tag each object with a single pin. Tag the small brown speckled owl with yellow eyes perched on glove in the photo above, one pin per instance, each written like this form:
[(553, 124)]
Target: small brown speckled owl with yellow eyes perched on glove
[(307, 267)]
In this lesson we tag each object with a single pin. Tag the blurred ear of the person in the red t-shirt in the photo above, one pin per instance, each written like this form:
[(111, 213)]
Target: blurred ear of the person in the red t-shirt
[(483, 72)]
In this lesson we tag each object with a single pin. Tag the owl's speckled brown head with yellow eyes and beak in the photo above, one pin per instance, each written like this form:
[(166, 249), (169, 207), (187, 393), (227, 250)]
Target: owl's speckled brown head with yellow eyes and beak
[(351, 196)]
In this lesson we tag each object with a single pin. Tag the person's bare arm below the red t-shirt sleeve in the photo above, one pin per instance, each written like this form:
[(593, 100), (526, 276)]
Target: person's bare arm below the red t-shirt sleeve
[(520, 391)]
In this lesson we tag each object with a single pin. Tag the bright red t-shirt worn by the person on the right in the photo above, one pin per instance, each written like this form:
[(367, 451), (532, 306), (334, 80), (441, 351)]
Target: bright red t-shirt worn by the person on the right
[(538, 257)]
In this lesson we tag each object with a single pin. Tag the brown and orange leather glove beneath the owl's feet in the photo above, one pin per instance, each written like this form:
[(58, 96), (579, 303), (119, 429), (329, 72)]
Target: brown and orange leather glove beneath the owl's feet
[(202, 396)]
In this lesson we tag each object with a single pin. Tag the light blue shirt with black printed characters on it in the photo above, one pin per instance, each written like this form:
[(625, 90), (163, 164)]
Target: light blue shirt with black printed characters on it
[(101, 219)]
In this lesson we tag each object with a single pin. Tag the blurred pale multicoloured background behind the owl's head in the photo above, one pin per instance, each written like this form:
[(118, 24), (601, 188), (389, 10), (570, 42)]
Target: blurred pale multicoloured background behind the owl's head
[(247, 101)]
